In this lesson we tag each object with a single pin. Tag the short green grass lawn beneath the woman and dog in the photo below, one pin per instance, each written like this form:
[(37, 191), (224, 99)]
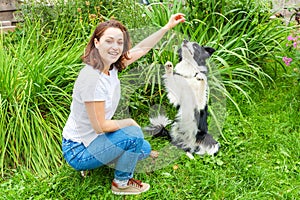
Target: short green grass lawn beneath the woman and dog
[(259, 159)]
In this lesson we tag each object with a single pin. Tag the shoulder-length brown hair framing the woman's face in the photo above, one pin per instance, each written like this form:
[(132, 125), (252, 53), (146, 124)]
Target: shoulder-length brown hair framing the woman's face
[(92, 56)]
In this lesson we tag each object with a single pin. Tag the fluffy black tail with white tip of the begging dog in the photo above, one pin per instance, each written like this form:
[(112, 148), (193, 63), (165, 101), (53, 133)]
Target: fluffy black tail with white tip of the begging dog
[(157, 127)]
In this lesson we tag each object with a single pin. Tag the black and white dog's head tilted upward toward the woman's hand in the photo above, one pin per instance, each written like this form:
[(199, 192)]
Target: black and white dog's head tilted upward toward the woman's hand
[(192, 51)]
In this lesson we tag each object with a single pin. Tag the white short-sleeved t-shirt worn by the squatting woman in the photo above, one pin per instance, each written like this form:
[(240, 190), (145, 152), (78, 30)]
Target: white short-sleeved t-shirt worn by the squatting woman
[(91, 85)]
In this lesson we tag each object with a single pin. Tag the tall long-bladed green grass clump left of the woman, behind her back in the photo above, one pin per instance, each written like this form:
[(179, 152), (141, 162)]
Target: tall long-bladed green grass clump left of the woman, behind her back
[(35, 95)]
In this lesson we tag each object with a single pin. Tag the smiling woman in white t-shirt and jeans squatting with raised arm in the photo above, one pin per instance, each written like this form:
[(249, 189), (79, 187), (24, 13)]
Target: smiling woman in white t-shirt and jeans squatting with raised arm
[(91, 138)]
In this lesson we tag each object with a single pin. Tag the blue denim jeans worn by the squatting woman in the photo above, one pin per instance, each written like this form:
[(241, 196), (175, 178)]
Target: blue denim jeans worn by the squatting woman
[(123, 147)]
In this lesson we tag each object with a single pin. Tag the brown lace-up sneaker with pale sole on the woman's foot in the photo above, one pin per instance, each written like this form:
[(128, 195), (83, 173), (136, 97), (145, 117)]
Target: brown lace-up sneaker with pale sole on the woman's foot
[(133, 187)]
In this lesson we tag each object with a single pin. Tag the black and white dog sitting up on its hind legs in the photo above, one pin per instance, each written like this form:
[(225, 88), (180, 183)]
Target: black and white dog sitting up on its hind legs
[(187, 89)]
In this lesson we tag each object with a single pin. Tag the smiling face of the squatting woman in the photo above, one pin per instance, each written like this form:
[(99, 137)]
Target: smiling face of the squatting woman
[(110, 45)]
